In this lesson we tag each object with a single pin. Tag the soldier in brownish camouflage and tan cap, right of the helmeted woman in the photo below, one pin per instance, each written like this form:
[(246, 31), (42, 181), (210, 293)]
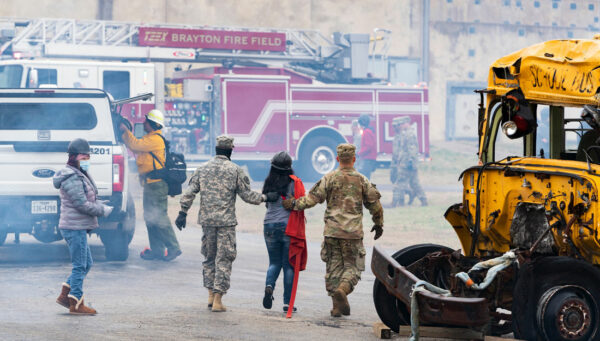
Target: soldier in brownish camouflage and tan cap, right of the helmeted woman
[(346, 191)]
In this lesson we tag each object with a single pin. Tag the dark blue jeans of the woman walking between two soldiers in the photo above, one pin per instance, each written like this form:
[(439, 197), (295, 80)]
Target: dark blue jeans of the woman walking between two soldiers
[(278, 246)]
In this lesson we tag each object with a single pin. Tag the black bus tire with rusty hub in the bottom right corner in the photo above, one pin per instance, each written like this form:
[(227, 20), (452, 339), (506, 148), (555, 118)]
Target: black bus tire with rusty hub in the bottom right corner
[(552, 287)]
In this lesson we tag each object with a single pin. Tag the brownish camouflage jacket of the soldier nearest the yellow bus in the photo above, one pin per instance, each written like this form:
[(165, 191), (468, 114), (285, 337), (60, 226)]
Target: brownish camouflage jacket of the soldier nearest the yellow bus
[(346, 191)]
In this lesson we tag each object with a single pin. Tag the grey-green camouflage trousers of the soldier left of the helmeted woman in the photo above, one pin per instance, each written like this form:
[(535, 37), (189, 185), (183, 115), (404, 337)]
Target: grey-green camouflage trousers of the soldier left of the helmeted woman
[(219, 251)]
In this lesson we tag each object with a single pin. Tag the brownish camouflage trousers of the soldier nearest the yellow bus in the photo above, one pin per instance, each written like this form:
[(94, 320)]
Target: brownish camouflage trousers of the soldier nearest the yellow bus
[(345, 261)]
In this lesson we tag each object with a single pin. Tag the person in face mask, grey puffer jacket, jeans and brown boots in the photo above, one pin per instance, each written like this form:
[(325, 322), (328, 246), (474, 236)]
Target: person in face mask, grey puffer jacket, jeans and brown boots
[(79, 212)]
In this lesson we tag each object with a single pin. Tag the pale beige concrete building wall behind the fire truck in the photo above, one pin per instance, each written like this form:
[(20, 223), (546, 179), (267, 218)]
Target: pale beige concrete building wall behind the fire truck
[(466, 36)]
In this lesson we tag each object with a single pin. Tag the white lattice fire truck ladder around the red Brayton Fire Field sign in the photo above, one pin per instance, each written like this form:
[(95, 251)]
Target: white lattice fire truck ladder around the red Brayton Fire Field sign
[(119, 40)]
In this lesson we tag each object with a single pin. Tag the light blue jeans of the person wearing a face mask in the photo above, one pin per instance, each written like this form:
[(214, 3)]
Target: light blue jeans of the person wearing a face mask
[(81, 258)]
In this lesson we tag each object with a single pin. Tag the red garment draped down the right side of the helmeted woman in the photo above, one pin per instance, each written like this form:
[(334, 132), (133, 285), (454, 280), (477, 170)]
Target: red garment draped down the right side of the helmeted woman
[(295, 229)]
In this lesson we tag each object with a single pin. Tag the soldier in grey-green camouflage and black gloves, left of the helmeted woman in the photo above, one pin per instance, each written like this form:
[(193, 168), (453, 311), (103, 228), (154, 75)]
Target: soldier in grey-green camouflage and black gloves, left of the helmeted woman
[(218, 182)]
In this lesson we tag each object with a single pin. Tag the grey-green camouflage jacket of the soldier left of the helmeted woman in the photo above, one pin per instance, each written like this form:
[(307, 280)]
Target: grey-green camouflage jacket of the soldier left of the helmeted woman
[(218, 181)]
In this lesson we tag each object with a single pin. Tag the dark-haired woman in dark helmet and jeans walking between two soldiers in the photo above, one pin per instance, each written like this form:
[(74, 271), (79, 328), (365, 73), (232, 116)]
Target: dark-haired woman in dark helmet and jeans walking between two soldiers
[(275, 223)]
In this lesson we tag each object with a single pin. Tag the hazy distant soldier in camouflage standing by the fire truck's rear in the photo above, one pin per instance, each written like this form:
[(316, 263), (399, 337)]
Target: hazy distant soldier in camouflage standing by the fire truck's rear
[(403, 171)]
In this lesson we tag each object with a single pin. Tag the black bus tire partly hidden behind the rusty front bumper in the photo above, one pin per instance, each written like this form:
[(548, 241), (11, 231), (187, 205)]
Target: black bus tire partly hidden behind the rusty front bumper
[(393, 312)]
